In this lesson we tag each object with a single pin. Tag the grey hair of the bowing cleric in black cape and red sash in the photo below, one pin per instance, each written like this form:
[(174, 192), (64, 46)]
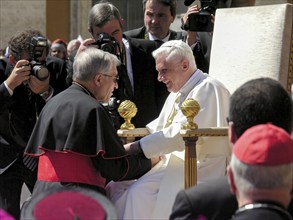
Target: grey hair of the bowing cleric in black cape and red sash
[(92, 61)]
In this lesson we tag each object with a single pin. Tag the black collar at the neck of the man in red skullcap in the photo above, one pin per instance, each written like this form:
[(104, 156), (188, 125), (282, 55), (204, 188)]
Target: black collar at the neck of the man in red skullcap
[(268, 206)]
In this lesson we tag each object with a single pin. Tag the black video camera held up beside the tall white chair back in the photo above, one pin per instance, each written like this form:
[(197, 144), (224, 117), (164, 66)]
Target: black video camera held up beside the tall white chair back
[(202, 21)]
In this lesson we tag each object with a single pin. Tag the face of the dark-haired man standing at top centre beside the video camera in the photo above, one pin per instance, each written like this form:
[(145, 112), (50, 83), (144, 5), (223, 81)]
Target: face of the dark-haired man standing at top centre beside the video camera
[(157, 19)]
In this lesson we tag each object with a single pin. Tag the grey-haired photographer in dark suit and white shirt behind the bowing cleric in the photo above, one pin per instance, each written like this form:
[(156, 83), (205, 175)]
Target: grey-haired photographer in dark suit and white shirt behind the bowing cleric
[(138, 76)]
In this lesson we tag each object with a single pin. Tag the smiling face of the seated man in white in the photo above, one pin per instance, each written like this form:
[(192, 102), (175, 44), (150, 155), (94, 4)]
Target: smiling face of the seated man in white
[(172, 72)]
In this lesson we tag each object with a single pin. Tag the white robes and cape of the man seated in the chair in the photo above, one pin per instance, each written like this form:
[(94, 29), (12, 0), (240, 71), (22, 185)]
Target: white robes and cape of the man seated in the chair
[(152, 195)]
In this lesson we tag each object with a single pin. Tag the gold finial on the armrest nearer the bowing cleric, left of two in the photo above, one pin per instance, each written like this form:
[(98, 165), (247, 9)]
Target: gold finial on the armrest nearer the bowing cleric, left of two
[(127, 110)]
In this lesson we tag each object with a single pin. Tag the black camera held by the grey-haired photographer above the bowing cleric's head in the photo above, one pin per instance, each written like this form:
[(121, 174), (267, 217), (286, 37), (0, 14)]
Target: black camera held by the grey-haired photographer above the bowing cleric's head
[(107, 43)]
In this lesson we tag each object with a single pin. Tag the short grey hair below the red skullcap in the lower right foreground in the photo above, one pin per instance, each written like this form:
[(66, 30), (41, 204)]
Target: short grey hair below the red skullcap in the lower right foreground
[(249, 177)]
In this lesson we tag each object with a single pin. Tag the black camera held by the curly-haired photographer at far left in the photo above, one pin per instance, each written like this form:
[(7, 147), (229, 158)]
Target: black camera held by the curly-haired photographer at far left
[(38, 46)]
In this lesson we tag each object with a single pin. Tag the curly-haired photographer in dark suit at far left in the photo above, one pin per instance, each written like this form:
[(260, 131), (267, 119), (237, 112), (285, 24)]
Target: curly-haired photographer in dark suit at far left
[(23, 92)]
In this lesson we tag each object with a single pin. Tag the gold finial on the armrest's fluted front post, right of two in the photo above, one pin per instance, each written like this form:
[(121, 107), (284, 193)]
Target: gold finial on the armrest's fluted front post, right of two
[(190, 109)]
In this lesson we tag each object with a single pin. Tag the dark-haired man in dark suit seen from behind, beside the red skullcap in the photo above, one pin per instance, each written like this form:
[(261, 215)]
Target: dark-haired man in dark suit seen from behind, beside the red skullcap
[(256, 102)]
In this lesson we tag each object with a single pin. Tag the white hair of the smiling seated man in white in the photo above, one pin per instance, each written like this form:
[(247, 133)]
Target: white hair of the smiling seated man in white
[(176, 49)]
